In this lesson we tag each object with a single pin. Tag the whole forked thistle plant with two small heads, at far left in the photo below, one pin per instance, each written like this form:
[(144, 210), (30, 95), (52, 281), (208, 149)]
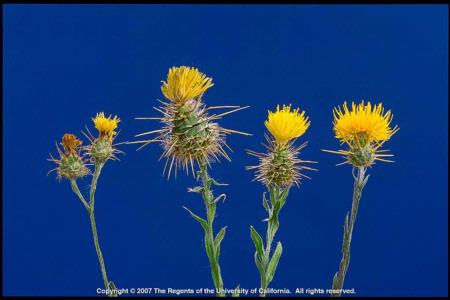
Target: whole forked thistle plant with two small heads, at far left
[(74, 163)]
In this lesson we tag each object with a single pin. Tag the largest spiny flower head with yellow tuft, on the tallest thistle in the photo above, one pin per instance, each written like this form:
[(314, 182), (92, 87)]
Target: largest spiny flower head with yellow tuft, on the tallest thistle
[(189, 134)]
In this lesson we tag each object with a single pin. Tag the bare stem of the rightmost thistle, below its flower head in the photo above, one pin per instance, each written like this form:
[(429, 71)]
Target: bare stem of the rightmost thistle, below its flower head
[(339, 277)]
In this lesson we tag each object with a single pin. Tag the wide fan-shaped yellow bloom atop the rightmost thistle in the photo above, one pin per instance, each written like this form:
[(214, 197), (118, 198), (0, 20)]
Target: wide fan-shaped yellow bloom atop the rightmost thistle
[(364, 123)]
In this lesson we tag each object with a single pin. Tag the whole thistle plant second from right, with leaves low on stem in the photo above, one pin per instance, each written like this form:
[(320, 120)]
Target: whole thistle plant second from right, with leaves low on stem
[(278, 169)]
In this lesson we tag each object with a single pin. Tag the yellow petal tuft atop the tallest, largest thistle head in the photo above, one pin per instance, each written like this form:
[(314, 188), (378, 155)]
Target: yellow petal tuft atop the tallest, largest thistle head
[(185, 83)]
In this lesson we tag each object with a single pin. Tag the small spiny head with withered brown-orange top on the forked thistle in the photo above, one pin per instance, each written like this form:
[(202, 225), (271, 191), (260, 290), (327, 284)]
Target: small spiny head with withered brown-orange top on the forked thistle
[(71, 164)]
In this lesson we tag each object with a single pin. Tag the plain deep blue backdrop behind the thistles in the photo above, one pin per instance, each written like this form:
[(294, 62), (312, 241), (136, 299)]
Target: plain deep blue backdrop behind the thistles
[(62, 64)]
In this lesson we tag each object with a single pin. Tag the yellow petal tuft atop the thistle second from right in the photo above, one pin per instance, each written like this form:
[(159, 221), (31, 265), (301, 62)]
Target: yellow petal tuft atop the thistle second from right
[(285, 125)]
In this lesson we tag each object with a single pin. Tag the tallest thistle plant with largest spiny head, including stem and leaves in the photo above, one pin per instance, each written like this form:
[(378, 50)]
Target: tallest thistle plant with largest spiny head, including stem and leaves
[(191, 141)]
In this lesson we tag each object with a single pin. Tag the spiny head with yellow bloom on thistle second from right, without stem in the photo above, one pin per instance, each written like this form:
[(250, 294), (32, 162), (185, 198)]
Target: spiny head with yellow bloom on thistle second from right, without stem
[(280, 166)]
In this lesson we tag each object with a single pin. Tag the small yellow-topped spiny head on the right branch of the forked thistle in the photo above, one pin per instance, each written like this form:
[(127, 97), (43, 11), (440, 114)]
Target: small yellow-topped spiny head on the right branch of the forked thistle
[(101, 148)]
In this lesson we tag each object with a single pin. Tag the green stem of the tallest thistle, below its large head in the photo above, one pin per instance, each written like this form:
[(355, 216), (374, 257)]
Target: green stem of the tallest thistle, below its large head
[(211, 249)]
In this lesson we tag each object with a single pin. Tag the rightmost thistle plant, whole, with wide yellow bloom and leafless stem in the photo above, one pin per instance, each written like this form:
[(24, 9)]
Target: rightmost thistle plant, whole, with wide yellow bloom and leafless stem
[(364, 129)]
